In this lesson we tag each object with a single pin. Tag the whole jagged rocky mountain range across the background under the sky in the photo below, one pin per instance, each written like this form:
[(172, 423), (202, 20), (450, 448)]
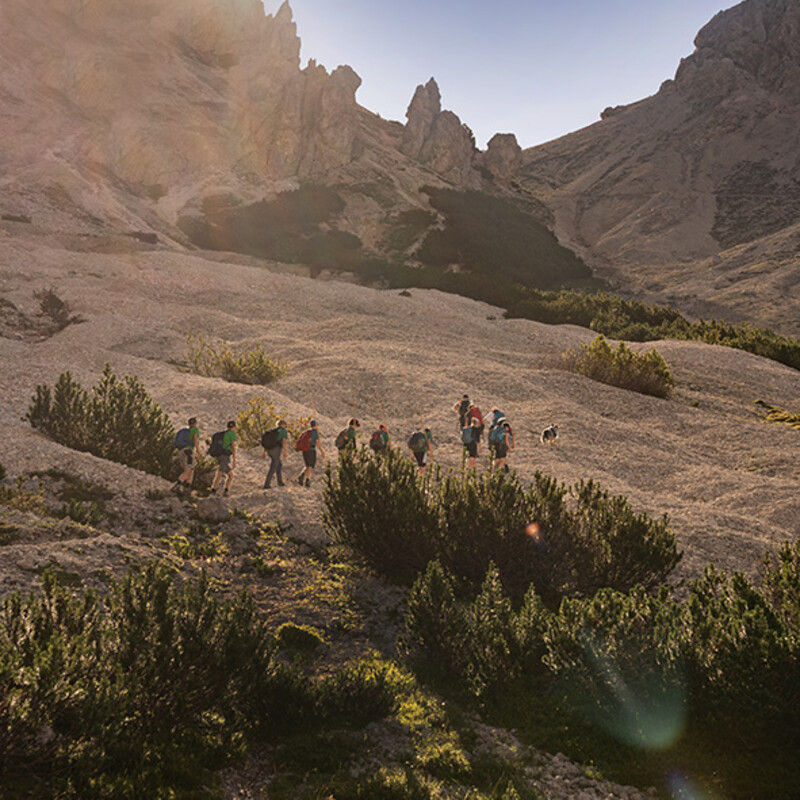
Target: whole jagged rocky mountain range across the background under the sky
[(131, 115)]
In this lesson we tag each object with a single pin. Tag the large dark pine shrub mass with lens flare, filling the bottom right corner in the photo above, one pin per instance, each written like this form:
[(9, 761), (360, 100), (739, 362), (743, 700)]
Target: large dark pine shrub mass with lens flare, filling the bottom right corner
[(715, 671)]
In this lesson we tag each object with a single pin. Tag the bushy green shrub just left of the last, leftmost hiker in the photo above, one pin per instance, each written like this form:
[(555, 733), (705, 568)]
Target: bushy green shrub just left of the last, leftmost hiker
[(118, 421)]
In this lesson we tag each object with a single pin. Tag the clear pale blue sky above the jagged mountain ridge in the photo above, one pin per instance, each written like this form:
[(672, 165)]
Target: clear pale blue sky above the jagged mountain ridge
[(536, 68)]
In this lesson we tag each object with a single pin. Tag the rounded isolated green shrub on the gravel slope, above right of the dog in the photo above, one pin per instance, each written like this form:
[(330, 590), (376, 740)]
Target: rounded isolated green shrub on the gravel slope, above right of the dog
[(647, 373)]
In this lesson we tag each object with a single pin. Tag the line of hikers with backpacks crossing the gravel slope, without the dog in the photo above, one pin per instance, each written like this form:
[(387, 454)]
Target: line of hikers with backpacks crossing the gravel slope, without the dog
[(275, 444)]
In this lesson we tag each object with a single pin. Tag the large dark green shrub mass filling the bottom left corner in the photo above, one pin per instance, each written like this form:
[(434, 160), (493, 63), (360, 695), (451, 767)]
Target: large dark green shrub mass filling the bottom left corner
[(144, 691)]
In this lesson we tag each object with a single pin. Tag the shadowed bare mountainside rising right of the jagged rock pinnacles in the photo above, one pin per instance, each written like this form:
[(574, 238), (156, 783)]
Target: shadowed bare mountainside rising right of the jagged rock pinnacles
[(662, 195)]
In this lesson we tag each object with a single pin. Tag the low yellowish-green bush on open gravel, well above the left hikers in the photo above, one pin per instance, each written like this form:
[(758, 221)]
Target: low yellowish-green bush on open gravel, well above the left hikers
[(249, 366)]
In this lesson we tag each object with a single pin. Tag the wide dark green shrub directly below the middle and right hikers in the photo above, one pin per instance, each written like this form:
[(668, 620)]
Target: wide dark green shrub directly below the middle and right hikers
[(565, 542)]
